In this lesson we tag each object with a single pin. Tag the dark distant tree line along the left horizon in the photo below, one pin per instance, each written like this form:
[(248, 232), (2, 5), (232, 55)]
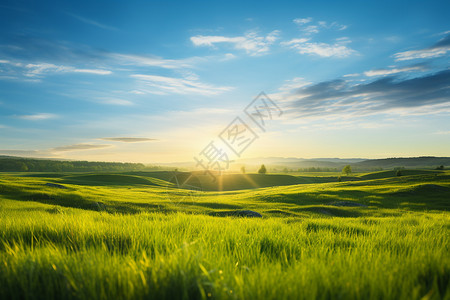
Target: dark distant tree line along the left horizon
[(38, 165)]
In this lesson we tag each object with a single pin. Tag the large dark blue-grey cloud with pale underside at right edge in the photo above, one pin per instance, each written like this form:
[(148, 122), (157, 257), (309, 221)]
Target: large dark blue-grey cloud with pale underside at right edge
[(389, 95)]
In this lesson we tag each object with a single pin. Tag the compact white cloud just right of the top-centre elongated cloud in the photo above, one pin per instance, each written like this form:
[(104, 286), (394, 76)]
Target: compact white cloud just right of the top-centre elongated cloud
[(337, 49)]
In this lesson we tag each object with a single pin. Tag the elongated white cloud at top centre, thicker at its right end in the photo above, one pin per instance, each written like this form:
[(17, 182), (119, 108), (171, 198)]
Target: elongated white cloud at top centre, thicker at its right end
[(252, 43)]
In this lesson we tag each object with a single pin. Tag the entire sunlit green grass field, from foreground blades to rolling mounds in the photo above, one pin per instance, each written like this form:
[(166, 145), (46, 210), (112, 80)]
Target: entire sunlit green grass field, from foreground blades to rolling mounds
[(136, 235)]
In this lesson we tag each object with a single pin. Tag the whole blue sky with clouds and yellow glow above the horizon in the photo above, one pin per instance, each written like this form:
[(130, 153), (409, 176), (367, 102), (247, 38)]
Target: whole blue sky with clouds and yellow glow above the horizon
[(164, 81)]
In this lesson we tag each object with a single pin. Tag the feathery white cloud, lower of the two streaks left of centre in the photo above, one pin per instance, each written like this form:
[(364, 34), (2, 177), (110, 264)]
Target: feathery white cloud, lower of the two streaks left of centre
[(188, 85)]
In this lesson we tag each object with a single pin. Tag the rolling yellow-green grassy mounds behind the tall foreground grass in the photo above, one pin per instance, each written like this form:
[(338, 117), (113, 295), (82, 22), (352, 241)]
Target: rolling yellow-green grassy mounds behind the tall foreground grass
[(146, 194)]
